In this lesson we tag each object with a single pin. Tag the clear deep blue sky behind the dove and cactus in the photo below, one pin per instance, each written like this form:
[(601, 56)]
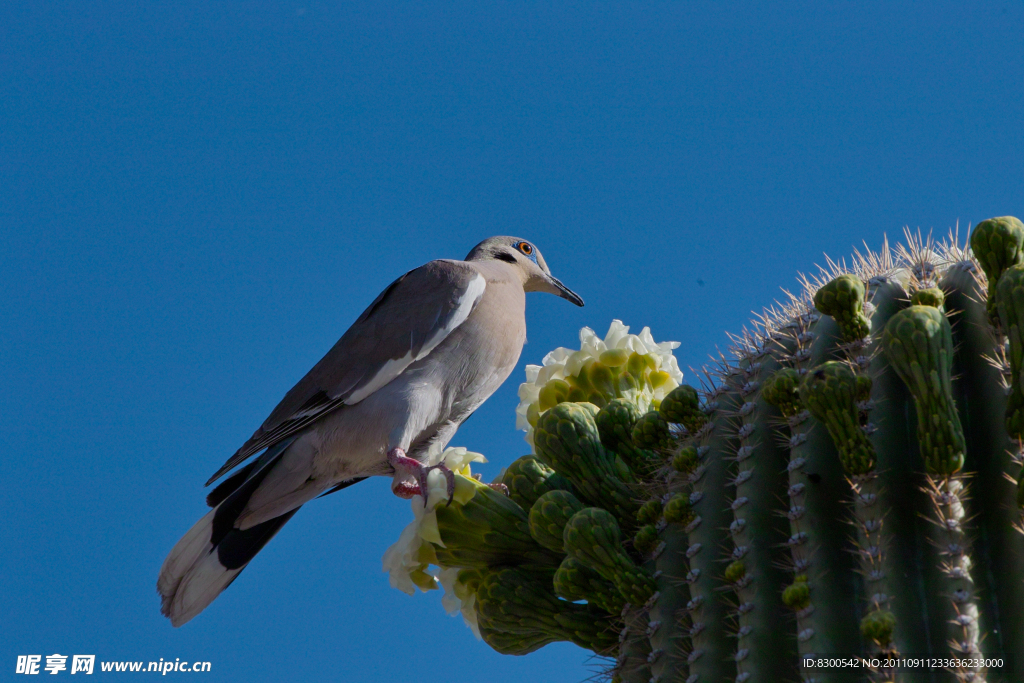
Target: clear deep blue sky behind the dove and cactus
[(198, 199)]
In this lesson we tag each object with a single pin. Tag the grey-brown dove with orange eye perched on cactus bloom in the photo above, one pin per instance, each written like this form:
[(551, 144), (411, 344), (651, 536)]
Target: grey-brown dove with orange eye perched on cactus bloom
[(419, 361)]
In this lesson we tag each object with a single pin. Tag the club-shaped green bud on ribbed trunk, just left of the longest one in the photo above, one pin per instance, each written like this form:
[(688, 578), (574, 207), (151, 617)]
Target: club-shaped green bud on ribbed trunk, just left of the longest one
[(831, 393)]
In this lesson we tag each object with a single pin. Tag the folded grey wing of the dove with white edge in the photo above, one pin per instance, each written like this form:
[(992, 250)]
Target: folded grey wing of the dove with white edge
[(412, 317)]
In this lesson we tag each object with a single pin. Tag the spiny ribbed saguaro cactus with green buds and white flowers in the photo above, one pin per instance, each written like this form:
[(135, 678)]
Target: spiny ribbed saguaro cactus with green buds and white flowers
[(847, 485)]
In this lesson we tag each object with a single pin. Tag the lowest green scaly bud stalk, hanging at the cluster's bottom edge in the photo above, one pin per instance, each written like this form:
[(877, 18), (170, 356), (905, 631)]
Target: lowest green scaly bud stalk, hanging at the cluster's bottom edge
[(519, 613)]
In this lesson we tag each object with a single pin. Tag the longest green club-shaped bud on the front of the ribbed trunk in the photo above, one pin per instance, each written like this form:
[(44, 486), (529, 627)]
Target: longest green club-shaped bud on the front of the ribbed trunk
[(920, 347)]
